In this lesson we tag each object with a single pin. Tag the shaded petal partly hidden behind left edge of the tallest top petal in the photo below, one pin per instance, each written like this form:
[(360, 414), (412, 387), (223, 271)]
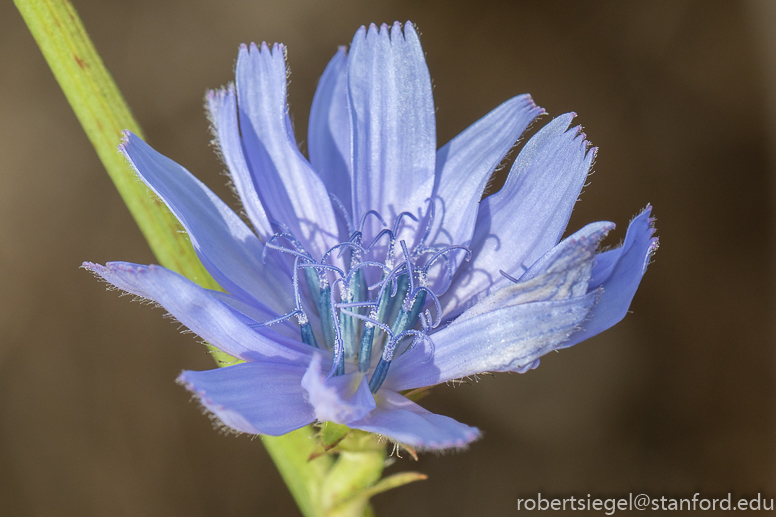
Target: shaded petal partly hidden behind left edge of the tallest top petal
[(330, 136)]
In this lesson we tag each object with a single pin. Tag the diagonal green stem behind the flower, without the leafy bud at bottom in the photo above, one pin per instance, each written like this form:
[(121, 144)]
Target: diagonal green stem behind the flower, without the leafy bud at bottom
[(103, 113)]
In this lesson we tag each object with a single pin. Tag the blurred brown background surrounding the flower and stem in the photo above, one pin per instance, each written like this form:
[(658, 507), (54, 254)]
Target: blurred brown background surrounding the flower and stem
[(679, 96)]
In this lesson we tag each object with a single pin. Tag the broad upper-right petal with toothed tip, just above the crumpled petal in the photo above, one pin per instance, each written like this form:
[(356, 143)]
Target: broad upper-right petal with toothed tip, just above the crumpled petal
[(520, 223)]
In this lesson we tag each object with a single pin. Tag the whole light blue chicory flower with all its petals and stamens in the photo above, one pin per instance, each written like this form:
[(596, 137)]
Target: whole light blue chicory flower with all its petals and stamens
[(374, 267)]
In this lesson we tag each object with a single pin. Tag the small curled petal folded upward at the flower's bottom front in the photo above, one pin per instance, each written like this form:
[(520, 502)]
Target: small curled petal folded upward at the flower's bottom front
[(340, 399)]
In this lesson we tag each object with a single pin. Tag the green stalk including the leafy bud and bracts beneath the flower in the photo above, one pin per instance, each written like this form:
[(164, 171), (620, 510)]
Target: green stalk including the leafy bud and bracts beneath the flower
[(324, 485)]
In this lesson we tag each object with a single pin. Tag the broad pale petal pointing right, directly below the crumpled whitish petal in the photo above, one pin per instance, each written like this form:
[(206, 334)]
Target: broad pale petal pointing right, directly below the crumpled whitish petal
[(503, 340)]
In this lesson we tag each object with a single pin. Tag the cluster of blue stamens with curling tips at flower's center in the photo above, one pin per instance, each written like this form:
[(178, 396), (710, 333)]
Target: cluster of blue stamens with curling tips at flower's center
[(368, 298)]
